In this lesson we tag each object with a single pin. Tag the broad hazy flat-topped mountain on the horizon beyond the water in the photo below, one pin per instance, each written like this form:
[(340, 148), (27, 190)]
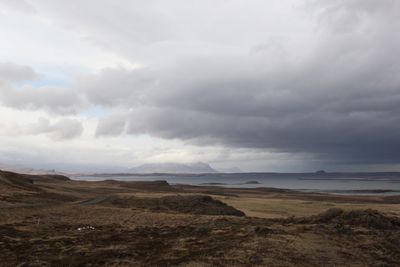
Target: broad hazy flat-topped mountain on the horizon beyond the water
[(198, 167)]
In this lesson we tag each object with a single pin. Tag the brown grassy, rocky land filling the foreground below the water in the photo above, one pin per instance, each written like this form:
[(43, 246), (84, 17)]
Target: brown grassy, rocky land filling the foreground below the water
[(52, 221)]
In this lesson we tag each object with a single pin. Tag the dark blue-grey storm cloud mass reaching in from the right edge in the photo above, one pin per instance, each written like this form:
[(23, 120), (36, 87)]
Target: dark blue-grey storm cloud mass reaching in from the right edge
[(342, 103)]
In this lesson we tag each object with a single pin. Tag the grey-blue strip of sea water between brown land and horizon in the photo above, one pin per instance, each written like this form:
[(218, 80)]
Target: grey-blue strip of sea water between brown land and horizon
[(339, 184)]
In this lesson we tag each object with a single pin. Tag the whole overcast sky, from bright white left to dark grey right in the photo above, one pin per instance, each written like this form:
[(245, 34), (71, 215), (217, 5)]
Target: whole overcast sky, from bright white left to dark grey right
[(260, 85)]
